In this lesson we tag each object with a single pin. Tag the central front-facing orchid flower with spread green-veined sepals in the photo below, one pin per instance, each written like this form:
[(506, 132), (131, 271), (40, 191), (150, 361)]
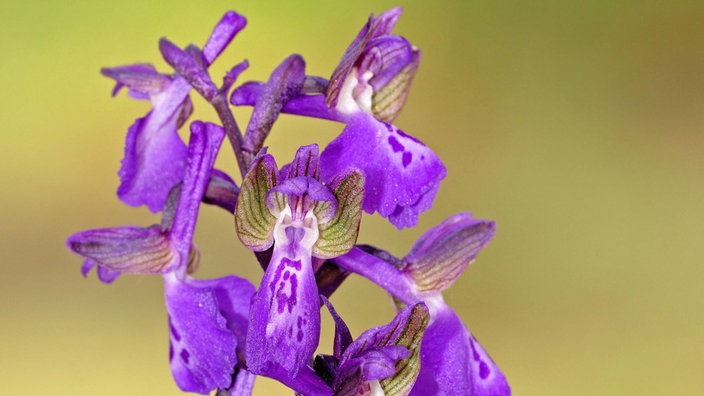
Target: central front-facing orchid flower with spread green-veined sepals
[(299, 216)]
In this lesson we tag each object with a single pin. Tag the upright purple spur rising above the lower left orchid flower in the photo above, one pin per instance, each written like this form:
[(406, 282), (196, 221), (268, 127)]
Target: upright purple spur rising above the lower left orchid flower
[(202, 150)]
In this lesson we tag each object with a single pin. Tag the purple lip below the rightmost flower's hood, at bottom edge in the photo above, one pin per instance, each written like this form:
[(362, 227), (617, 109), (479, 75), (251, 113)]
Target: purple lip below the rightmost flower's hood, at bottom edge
[(453, 362)]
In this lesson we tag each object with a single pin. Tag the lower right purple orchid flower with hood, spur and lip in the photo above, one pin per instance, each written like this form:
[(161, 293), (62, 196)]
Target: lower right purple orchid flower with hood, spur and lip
[(452, 361)]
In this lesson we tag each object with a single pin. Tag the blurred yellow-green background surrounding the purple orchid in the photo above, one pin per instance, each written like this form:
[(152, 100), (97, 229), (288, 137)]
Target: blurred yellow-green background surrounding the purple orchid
[(575, 125)]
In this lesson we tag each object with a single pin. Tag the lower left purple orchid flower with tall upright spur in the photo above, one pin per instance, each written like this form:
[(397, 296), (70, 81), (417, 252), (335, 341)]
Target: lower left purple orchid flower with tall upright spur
[(207, 318)]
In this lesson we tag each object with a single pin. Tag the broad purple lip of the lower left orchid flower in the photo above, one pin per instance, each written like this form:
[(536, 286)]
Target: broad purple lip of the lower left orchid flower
[(202, 315)]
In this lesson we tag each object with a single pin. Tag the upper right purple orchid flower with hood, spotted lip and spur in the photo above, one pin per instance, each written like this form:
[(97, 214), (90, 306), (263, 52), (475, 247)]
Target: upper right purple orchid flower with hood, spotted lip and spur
[(367, 91)]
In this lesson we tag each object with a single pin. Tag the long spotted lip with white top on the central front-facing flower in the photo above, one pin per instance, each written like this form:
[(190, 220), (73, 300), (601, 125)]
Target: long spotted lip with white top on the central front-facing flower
[(285, 316)]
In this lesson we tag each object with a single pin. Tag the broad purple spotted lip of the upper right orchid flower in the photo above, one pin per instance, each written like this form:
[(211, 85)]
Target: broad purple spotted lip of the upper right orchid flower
[(402, 174)]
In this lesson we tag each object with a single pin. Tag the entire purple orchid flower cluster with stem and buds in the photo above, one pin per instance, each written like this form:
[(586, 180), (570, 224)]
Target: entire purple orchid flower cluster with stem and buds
[(300, 220)]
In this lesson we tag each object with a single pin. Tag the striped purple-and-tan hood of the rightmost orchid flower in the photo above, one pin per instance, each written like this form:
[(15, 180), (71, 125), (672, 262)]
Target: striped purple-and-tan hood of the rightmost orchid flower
[(443, 252)]
